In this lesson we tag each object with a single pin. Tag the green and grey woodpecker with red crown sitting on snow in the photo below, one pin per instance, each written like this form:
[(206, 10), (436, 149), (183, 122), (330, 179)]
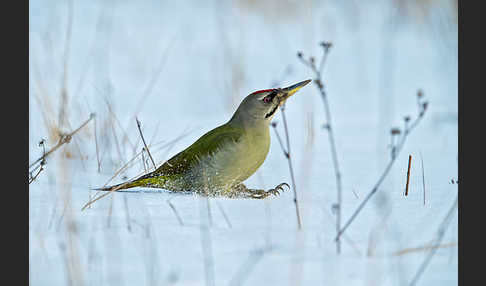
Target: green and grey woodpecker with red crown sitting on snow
[(219, 161)]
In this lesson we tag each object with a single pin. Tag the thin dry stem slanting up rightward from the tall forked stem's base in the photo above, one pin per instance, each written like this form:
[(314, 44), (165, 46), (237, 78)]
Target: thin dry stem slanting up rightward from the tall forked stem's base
[(382, 177)]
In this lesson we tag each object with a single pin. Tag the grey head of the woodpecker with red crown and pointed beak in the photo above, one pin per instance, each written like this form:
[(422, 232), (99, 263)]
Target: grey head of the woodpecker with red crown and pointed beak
[(260, 106)]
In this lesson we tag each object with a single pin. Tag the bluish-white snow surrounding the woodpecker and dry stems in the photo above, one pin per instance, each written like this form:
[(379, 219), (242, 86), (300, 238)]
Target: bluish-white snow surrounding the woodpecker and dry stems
[(182, 67)]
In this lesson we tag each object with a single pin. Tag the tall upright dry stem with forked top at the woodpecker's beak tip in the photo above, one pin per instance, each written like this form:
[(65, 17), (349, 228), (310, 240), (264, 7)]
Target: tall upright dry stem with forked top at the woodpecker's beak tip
[(320, 87)]
